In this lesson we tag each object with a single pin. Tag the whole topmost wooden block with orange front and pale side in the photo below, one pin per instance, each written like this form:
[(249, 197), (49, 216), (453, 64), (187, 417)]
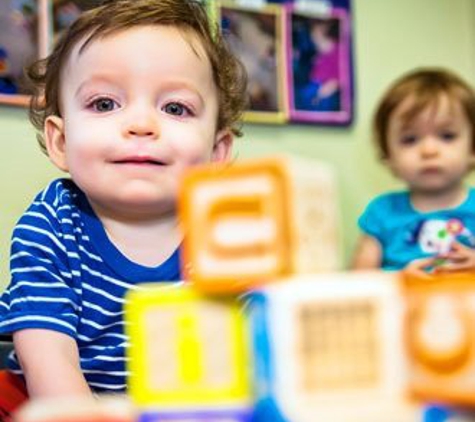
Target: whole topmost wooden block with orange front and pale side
[(257, 221)]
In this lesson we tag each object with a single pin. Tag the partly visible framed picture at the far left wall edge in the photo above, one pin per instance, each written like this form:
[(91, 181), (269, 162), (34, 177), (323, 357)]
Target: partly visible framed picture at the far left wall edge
[(23, 40)]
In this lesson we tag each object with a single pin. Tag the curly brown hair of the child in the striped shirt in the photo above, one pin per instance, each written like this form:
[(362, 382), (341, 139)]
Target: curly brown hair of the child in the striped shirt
[(117, 15)]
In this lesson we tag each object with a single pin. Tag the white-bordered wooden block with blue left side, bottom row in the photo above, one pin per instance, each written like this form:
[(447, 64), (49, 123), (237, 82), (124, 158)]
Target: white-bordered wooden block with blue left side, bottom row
[(332, 339)]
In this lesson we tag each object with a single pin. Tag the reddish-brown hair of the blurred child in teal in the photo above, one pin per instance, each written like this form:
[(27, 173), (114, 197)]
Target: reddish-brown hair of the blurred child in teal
[(425, 87)]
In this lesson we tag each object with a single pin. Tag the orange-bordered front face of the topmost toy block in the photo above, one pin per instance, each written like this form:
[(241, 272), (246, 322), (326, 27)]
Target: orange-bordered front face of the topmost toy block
[(237, 225)]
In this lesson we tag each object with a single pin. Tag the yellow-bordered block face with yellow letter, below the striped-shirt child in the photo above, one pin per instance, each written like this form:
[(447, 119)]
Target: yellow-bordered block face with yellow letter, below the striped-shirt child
[(186, 349)]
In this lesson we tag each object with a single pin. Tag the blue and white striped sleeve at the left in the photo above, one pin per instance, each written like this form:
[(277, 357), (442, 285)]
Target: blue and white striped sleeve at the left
[(41, 293)]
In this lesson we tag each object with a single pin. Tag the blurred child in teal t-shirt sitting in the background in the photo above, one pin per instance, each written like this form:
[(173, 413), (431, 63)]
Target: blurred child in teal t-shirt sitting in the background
[(425, 134)]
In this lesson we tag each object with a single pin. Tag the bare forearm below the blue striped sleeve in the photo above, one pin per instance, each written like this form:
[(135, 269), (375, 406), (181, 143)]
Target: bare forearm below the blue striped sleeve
[(50, 363)]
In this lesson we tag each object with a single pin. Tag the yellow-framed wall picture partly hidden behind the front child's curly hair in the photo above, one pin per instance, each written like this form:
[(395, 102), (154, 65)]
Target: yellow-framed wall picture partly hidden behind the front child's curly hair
[(256, 35)]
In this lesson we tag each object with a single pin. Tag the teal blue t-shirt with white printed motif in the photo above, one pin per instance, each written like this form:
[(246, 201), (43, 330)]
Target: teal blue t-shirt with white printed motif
[(406, 234)]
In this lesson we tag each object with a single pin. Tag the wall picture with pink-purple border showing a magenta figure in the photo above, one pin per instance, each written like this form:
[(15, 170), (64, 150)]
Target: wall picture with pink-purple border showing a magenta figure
[(320, 65)]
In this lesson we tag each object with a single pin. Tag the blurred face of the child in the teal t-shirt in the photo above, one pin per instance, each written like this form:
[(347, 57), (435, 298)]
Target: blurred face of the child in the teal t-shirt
[(433, 151)]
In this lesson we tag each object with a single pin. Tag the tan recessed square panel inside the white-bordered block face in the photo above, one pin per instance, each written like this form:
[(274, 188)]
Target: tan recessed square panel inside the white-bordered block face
[(342, 332)]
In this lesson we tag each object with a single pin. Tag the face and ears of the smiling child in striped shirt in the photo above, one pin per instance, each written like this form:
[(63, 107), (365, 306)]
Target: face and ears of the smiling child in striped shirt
[(138, 108)]
